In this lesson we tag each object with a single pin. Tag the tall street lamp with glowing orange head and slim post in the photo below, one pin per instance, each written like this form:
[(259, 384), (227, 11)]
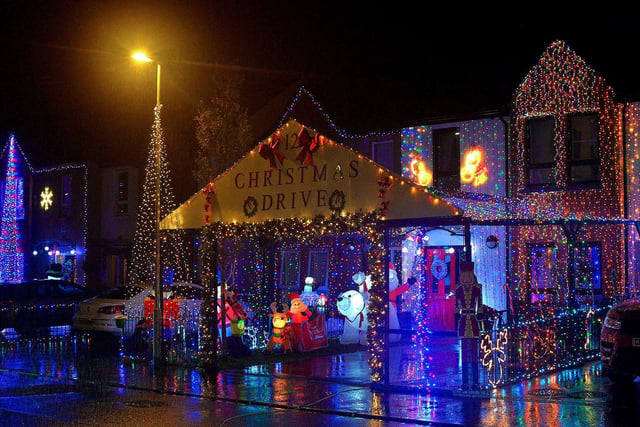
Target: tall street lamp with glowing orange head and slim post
[(157, 311)]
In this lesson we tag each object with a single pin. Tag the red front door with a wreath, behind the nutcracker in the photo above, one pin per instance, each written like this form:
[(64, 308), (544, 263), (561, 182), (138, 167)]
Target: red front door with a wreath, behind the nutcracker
[(441, 269)]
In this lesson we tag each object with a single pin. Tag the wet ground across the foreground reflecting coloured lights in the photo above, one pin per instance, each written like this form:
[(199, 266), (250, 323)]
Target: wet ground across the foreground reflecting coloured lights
[(333, 389)]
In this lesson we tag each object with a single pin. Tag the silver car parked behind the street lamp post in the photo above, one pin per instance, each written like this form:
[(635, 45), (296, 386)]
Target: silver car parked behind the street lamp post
[(119, 310)]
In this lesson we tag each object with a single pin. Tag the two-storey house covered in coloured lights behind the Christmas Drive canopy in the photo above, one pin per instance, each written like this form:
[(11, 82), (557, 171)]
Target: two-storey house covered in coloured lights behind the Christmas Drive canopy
[(550, 190)]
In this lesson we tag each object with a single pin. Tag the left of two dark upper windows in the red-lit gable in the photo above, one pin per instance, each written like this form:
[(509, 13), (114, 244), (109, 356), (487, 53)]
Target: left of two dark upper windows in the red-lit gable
[(540, 150)]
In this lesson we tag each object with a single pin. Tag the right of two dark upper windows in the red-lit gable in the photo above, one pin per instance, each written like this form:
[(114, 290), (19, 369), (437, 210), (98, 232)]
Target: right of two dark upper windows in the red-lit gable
[(584, 161)]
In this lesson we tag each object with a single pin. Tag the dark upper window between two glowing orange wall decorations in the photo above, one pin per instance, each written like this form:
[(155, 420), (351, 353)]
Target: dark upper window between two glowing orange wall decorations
[(446, 159)]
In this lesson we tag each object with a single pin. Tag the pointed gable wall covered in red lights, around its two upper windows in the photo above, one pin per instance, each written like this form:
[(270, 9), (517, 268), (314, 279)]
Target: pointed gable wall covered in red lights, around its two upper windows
[(560, 86)]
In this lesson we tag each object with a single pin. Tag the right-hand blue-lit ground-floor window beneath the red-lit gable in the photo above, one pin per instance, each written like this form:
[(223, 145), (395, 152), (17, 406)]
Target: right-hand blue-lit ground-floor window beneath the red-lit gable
[(588, 284)]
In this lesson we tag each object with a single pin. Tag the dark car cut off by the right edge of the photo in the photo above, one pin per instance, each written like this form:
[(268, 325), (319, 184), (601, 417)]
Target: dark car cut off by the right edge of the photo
[(620, 342)]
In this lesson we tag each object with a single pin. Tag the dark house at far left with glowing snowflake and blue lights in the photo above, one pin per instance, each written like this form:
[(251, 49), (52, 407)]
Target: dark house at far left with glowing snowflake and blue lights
[(73, 216)]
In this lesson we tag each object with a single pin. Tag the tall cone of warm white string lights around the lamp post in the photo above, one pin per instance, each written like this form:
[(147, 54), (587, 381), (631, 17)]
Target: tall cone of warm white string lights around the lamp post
[(172, 242)]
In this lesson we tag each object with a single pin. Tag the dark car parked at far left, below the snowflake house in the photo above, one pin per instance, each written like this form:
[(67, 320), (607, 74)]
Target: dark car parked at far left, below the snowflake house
[(36, 305)]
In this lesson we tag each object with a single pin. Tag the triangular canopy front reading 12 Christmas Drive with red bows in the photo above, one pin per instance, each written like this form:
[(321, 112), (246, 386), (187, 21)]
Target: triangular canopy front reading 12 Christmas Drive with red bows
[(298, 173)]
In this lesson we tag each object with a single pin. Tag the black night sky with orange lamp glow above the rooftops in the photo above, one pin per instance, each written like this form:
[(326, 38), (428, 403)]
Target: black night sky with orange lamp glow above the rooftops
[(70, 93)]
